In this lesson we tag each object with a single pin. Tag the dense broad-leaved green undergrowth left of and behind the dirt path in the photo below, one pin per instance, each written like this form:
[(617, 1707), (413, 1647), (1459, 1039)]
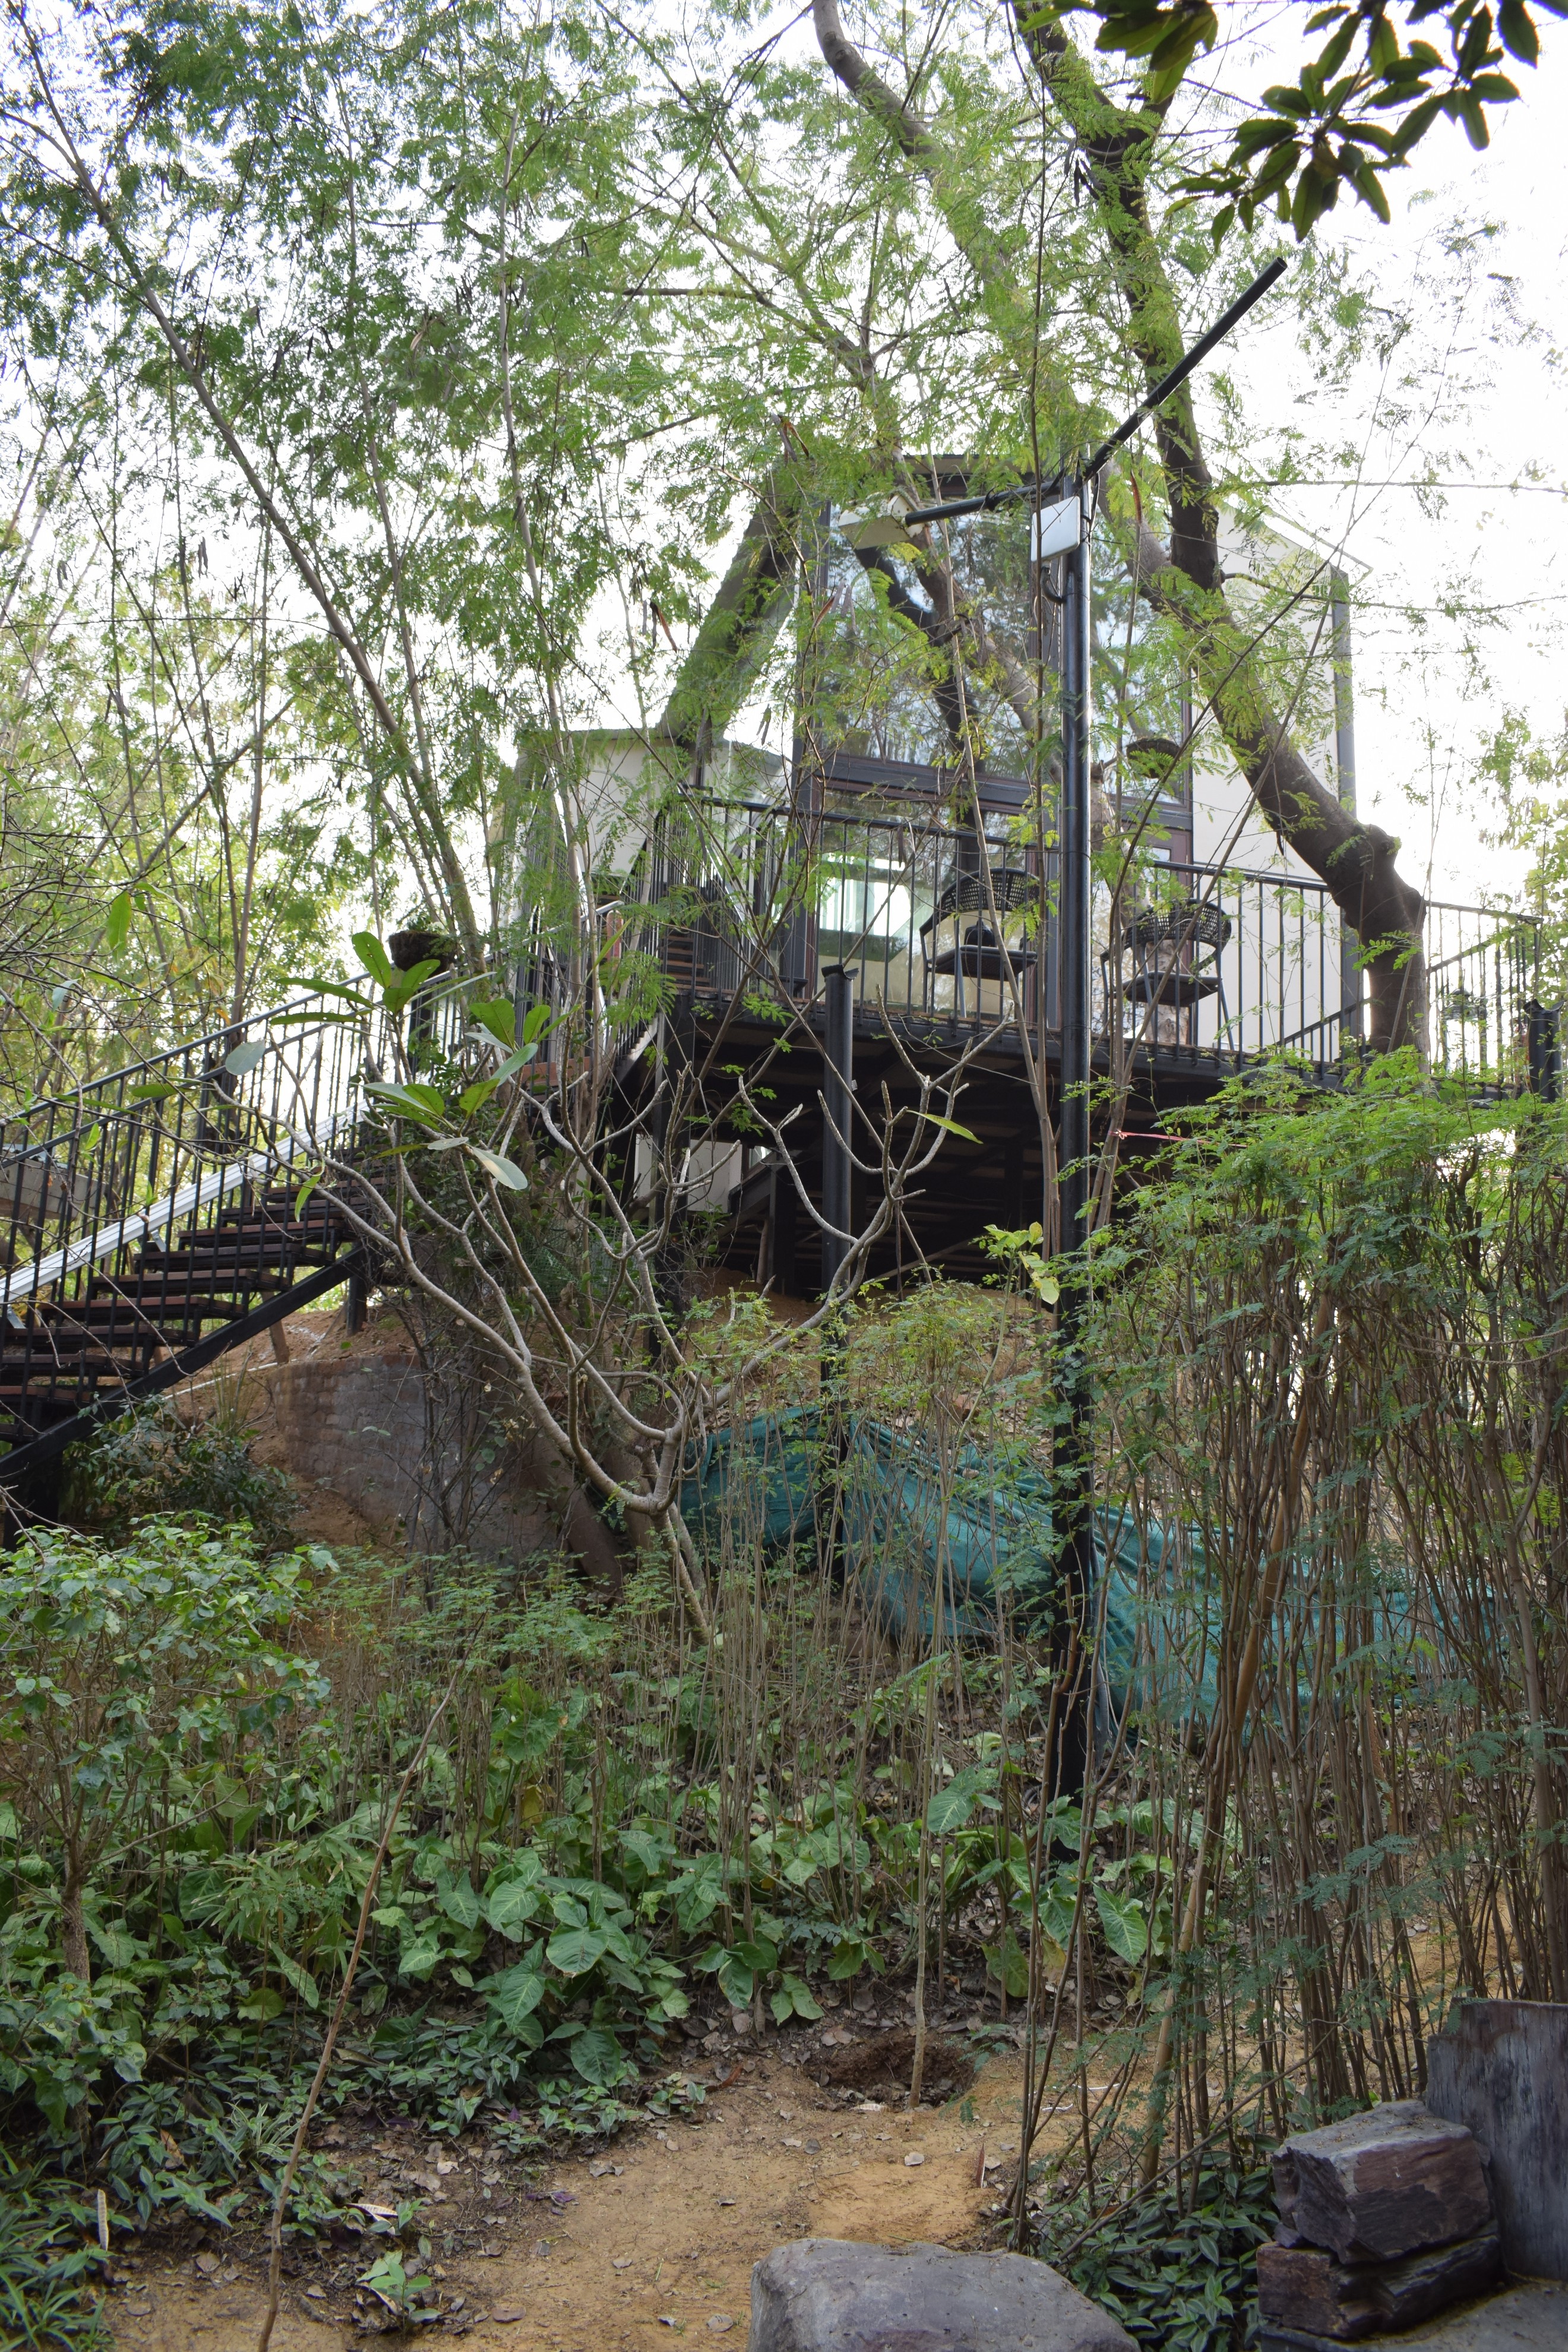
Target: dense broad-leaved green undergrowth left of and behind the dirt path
[(189, 1840)]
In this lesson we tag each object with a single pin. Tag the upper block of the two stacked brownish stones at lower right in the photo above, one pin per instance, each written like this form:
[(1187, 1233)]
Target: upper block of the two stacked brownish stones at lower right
[(1383, 2184)]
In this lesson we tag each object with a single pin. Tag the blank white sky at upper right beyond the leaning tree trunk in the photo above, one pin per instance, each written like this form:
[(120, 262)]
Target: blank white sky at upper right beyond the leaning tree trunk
[(1419, 716)]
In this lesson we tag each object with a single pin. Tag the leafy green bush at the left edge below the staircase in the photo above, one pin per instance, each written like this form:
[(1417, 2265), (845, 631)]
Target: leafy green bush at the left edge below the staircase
[(138, 1692)]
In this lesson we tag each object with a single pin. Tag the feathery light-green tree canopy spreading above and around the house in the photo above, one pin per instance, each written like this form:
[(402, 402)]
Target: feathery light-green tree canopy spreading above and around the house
[(389, 385)]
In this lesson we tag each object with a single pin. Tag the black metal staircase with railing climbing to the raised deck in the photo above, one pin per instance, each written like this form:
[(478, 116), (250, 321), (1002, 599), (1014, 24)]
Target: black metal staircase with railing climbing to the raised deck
[(161, 1215)]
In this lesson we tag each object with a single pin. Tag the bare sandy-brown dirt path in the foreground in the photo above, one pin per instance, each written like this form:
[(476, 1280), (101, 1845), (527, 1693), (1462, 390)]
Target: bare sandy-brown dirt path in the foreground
[(645, 2240)]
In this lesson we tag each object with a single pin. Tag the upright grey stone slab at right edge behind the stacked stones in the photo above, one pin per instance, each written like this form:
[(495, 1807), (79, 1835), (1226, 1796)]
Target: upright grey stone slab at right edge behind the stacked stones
[(1501, 2069)]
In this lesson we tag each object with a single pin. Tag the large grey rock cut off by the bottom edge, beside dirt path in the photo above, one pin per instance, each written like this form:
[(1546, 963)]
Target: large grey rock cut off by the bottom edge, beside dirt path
[(824, 2294)]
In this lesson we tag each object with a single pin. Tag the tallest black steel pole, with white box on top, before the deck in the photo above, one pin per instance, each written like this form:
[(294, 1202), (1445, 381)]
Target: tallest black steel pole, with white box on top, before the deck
[(1073, 1438)]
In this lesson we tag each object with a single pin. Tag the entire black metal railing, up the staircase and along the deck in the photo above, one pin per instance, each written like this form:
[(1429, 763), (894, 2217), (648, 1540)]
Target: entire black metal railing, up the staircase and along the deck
[(946, 930)]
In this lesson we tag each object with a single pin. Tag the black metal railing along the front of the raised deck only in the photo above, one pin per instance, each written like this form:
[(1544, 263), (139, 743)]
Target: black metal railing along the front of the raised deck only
[(949, 928)]
